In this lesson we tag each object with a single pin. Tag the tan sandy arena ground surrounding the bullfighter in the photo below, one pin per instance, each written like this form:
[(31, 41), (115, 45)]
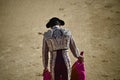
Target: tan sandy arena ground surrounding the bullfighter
[(95, 26)]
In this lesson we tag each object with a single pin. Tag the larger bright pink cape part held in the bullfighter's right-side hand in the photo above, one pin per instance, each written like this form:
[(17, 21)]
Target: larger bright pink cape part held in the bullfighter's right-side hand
[(78, 70)]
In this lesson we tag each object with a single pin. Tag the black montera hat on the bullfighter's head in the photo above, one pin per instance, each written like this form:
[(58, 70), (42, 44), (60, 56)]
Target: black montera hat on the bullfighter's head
[(55, 21)]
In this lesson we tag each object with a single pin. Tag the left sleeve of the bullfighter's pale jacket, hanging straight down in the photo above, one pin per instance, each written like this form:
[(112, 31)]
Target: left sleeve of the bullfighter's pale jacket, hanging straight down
[(45, 53)]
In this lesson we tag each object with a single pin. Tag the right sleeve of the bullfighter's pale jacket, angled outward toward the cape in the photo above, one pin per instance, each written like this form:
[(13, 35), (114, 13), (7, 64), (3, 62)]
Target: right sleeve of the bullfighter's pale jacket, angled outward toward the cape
[(73, 48)]
